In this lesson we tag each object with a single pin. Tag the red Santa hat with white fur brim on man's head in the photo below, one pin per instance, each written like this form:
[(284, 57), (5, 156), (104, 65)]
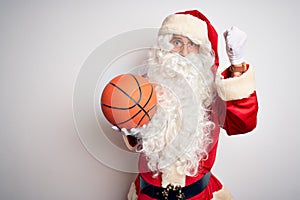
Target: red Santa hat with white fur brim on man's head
[(196, 27)]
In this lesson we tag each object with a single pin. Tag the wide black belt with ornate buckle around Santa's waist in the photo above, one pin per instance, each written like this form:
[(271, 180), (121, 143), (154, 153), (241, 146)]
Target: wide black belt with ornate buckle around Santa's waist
[(172, 192)]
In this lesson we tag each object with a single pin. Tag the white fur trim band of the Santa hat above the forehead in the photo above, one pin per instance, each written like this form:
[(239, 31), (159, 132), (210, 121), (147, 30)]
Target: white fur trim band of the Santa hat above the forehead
[(186, 25)]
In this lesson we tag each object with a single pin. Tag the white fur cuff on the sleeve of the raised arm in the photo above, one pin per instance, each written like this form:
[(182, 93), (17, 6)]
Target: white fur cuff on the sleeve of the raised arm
[(236, 88)]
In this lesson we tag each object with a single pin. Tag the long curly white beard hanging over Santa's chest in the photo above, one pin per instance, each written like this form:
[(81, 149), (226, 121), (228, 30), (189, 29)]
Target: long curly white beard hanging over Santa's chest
[(179, 132)]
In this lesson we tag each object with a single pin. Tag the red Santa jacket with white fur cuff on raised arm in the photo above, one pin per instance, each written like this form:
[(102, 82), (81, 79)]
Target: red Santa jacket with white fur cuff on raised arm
[(235, 110)]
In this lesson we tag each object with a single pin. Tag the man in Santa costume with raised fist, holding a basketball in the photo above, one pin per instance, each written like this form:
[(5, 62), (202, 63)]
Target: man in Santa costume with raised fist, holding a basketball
[(178, 146)]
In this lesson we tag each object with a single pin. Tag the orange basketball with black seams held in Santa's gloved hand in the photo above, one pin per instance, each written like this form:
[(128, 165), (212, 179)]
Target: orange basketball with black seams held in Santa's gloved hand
[(128, 101)]
